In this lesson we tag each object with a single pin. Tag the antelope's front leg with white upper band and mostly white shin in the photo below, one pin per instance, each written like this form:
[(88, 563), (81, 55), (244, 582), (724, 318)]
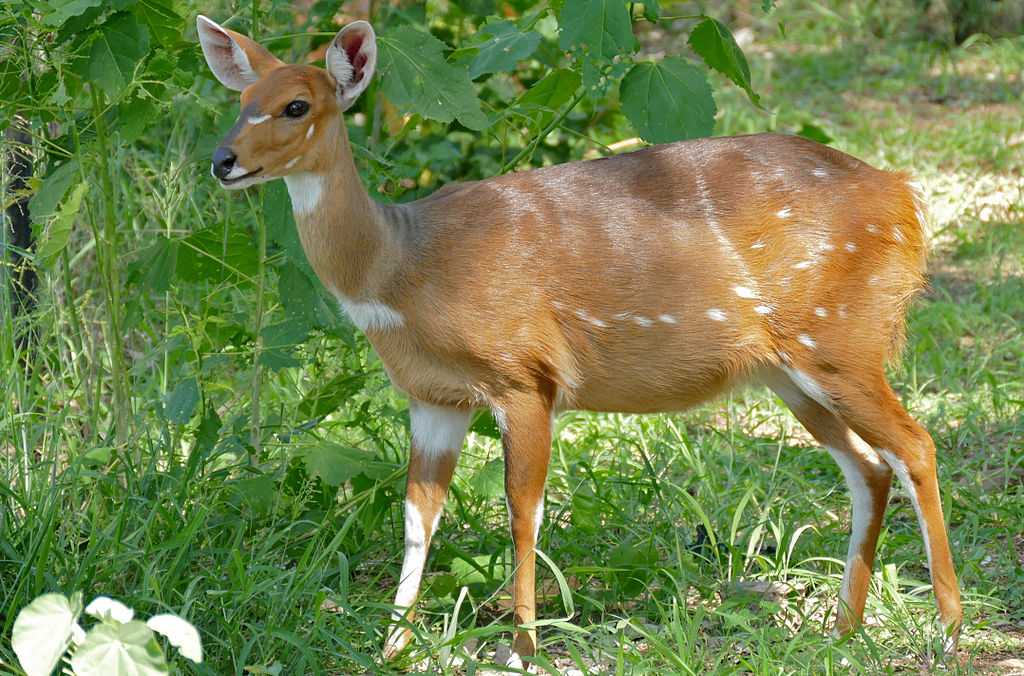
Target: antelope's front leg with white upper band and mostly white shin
[(438, 436)]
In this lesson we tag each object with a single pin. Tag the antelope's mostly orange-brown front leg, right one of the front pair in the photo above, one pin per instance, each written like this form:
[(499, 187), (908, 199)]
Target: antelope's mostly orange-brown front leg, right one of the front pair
[(527, 440)]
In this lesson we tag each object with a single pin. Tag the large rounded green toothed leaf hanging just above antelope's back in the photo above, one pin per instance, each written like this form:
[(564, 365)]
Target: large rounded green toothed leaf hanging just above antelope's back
[(668, 101)]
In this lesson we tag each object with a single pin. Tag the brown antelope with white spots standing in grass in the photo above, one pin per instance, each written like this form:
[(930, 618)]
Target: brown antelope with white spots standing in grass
[(638, 283)]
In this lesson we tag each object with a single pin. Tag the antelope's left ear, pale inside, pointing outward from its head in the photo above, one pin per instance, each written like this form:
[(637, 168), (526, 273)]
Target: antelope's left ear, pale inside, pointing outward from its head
[(237, 61)]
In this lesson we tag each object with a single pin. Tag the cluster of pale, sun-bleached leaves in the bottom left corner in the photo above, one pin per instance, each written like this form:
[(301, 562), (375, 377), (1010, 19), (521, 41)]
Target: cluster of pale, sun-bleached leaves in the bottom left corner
[(116, 645)]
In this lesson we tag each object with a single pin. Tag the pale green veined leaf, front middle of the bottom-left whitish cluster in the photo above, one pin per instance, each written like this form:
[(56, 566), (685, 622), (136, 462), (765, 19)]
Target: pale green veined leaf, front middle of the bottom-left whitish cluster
[(113, 649)]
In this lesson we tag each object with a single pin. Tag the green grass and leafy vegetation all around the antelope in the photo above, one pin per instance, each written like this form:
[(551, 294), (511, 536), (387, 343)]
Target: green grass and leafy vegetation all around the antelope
[(188, 425)]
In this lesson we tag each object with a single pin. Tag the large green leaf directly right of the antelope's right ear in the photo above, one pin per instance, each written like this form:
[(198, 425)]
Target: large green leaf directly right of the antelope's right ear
[(418, 78)]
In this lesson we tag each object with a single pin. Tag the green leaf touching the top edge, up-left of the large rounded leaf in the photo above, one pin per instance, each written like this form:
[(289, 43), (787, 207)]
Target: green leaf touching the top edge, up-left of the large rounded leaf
[(600, 28)]
